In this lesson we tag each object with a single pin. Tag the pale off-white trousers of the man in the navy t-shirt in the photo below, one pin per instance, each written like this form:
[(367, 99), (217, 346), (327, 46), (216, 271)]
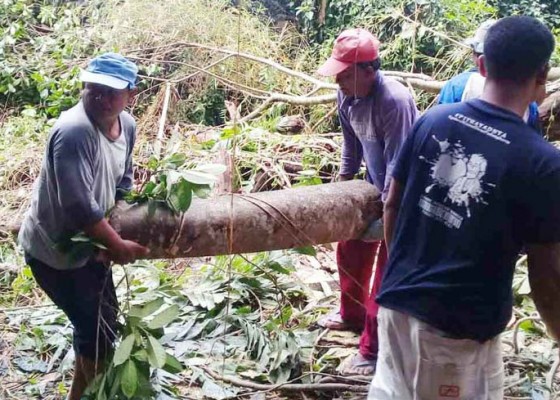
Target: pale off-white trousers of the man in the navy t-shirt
[(416, 362)]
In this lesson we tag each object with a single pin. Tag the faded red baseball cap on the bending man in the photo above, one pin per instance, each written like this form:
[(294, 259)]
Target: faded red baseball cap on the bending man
[(350, 47)]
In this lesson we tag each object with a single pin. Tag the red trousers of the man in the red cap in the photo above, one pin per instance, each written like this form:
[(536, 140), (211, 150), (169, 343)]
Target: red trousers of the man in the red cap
[(355, 260)]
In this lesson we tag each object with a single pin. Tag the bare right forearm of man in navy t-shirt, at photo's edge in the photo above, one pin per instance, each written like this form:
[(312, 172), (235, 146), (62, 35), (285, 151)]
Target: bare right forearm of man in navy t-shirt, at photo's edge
[(544, 277)]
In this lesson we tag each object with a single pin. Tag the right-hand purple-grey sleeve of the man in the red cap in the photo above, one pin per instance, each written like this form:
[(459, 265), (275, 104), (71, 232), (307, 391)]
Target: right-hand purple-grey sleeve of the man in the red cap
[(397, 125)]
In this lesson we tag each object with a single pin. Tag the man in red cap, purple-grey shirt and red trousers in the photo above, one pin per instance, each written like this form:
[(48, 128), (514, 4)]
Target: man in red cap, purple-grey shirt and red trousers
[(376, 113)]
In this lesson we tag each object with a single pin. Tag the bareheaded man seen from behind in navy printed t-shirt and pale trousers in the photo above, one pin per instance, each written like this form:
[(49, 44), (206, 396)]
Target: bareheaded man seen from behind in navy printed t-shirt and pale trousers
[(473, 185)]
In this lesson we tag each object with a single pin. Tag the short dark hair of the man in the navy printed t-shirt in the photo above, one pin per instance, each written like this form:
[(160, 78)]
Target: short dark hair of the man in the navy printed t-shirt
[(517, 48)]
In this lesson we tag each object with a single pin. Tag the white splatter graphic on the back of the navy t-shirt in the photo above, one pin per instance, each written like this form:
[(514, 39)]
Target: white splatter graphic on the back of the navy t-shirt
[(462, 175)]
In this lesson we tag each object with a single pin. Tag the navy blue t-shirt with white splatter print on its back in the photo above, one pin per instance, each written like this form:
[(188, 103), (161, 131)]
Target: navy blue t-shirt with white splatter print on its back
[(478, 185)]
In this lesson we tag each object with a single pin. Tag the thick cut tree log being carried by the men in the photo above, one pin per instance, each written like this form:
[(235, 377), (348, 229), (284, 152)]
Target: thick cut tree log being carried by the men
[(233, 224)]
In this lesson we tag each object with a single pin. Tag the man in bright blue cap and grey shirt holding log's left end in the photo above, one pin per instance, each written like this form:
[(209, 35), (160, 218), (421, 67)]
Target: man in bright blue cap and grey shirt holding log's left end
[(86, 168)]
